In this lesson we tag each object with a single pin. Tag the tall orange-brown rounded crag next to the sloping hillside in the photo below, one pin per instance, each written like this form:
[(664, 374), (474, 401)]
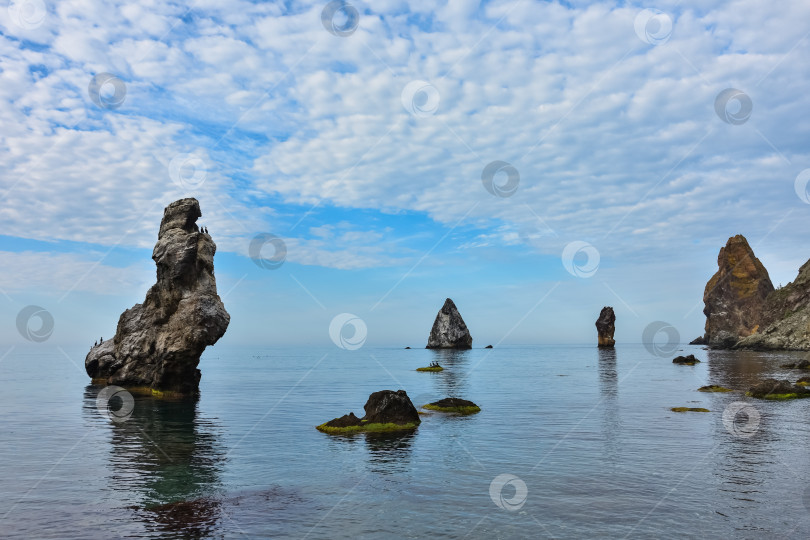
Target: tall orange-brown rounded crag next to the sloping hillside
[(735, 296)]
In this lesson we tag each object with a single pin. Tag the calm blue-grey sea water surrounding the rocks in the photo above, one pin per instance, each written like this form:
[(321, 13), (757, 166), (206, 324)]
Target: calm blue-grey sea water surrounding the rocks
[(589, 434)]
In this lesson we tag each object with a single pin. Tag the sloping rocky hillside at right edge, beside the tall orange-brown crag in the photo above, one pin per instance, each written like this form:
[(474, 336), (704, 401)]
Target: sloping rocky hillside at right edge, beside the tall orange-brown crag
[(785, 323)]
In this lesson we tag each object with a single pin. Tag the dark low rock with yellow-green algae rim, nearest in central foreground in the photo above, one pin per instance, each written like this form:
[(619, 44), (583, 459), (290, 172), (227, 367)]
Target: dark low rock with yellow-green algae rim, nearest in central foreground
[(386, 410)]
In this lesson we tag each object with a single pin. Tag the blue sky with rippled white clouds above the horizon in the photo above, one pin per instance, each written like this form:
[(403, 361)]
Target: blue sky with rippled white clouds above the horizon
[(533, 161)]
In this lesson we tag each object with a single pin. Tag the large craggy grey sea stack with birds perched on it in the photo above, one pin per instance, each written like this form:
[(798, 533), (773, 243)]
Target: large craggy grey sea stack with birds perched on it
[(158, 344)]
